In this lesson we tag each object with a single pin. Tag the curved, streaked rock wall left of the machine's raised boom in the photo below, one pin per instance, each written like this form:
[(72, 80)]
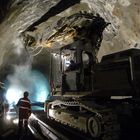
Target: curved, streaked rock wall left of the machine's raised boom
[(18, 17)]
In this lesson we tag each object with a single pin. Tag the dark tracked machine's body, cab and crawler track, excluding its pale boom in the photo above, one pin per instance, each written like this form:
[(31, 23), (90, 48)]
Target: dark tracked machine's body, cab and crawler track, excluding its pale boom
[(94, 97)]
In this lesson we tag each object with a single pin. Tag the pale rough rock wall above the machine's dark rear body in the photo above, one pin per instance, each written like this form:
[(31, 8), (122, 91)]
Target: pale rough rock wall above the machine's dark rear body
[(124, 15)]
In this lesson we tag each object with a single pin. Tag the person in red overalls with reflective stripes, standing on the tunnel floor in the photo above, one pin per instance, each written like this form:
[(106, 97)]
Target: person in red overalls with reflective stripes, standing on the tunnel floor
[(24, 108)]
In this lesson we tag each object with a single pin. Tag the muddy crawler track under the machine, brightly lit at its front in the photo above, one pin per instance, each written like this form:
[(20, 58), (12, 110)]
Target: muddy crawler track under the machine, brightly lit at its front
[(98, 121)]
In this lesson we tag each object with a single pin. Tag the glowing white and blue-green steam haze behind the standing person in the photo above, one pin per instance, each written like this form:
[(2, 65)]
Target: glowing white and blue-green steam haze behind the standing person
[(24, 78)]
